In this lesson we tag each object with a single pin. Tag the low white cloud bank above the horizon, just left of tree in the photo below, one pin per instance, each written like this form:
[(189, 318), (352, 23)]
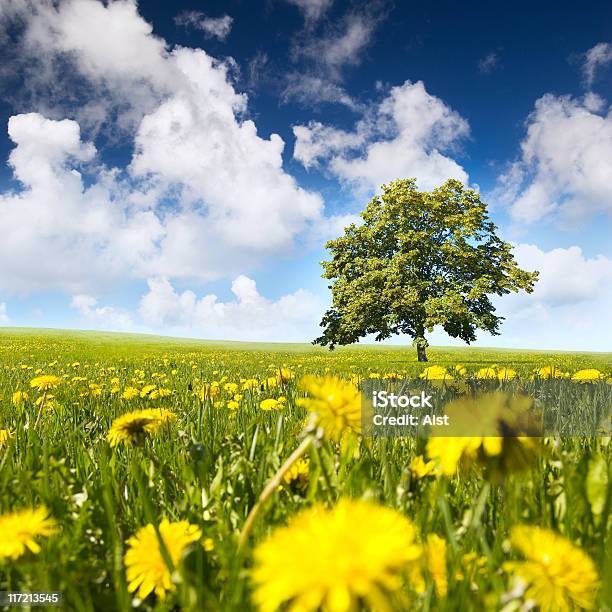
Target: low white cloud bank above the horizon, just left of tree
[(249, 316)]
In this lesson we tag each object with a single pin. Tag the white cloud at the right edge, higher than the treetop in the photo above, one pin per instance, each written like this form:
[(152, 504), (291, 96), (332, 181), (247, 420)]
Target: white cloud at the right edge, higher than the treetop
[(565, 164)]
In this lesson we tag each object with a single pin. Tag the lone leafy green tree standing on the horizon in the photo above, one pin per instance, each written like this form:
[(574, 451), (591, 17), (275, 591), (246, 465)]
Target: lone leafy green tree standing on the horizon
[(420, 259)]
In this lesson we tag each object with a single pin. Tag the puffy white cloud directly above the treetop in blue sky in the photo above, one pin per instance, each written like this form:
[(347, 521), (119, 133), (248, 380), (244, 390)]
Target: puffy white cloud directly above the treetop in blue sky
[(402, 138)]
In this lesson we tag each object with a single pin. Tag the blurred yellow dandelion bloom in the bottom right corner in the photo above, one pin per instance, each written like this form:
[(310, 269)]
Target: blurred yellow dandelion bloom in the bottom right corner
[(559, 575)]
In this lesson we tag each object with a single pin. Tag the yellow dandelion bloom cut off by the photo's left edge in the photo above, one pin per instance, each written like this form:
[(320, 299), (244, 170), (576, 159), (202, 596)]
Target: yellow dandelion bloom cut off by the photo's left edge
[(19, 530)]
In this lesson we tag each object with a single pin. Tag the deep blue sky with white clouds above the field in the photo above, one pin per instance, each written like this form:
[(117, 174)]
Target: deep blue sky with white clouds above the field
[(177, 167)]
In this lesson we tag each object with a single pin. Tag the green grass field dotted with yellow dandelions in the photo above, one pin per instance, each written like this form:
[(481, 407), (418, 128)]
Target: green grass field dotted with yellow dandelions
[(506, 526)]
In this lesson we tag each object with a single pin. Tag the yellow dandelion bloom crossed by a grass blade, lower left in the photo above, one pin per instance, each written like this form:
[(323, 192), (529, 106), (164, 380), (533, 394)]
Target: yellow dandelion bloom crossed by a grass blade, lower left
[(146, 568)]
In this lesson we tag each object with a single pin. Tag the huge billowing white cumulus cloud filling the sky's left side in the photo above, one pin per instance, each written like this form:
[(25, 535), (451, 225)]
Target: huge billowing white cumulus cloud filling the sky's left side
[(200, 182)]
